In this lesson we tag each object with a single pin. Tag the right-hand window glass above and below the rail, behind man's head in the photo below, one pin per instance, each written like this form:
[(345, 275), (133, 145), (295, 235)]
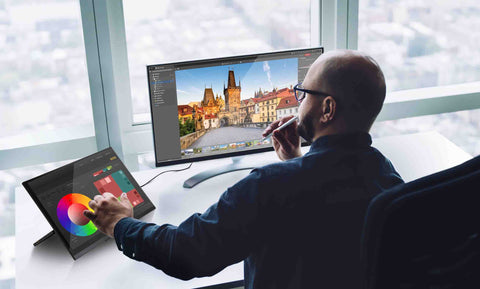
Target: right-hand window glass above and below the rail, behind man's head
[(425, 44)]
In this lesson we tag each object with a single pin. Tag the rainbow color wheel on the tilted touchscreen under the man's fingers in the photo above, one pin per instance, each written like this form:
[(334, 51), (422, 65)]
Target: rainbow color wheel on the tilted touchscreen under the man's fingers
[(70, 214)]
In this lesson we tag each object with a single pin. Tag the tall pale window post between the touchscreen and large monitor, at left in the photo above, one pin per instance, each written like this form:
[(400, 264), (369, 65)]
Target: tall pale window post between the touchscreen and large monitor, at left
[(111, 70)]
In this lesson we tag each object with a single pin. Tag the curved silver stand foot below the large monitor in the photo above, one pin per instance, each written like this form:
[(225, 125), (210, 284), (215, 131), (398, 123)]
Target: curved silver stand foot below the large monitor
[(236, 165)]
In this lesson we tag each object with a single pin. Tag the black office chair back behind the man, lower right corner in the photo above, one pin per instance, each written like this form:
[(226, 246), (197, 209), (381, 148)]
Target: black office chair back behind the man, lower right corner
[(425, 233)]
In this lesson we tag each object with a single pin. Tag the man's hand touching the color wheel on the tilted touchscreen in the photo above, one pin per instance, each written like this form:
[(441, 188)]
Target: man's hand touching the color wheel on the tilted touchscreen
[(108, 210)]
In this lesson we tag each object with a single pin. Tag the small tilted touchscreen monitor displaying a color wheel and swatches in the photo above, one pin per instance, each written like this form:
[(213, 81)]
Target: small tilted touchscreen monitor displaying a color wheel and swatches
[(63, 194)]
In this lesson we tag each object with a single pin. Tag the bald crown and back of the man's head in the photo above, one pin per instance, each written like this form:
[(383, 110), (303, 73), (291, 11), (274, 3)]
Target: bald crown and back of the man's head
[(355, 81)]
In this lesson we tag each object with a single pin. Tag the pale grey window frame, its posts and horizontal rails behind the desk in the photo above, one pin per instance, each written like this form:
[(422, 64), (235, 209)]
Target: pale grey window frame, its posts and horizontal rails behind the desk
[(107, 62)]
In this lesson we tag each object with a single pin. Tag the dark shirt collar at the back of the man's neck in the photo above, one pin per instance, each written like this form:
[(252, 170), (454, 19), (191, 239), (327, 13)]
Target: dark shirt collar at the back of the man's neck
[(352, 140)]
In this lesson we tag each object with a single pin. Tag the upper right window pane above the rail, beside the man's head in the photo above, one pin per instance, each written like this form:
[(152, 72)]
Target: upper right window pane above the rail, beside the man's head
[(422, 43)]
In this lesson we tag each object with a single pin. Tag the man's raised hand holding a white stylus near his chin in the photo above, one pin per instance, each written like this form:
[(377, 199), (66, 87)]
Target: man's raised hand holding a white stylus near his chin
[(286, 142)]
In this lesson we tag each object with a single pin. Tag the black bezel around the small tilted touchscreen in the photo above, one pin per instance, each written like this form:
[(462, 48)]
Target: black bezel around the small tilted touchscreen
[(88, 246)]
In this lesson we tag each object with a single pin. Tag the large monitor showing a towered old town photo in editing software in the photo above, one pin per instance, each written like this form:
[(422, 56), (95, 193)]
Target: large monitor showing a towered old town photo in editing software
[(219, 107)]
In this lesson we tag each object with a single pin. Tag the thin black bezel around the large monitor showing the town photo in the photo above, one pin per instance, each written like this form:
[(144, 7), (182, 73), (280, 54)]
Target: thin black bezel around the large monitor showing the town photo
[(203, 61)]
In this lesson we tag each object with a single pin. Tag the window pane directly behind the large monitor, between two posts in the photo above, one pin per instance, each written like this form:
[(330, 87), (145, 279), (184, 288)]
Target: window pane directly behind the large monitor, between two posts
[(166, 31)]
